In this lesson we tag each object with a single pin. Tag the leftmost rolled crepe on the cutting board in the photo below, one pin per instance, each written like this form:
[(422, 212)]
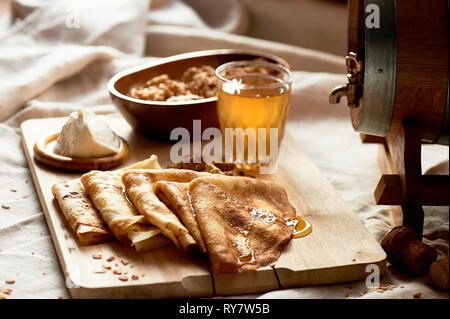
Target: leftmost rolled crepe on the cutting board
[(81, 215)]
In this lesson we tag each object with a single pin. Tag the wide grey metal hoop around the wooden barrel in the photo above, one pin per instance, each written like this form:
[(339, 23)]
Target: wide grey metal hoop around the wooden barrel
[(380, 68)]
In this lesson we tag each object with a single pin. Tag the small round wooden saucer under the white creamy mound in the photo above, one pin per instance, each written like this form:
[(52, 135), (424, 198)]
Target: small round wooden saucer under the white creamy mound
[(43, 152)]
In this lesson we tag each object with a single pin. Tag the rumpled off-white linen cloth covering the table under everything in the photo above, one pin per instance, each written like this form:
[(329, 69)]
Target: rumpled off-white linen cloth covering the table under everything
[(57, 56)]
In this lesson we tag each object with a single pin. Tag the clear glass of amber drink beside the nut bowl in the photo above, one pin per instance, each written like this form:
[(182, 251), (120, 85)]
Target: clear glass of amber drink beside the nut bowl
[(252, 105)]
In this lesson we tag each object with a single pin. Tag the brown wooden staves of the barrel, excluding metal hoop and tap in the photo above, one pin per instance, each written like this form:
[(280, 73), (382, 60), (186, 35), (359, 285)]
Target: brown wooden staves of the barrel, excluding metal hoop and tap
[(422, 63)]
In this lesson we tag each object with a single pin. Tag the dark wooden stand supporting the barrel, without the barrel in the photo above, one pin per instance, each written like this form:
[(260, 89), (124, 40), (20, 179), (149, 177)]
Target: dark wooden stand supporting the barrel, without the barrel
[(402, 184)]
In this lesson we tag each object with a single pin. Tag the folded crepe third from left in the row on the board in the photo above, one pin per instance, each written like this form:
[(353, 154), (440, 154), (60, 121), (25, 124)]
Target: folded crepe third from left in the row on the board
[(140, 191)]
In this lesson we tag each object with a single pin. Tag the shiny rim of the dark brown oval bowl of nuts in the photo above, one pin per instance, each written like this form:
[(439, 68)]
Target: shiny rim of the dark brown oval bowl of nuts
[(194, 54)]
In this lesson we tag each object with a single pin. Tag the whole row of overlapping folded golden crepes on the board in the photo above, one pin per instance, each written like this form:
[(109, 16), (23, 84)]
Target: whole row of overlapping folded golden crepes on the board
[(241, 223)]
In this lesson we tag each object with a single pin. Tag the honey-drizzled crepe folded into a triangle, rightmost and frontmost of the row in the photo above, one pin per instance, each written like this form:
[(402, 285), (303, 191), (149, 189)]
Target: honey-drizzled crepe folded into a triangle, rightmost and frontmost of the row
[(243, 221)]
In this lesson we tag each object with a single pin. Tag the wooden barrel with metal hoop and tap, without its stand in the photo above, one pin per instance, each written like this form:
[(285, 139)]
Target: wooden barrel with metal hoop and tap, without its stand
[(398, 65)]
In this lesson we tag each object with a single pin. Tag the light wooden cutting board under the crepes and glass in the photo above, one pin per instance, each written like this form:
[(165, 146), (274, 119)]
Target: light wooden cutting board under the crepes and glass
[(338, 249)]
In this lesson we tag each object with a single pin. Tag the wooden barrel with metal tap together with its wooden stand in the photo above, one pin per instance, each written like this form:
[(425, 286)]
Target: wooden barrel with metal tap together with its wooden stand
[(398, 93)]
